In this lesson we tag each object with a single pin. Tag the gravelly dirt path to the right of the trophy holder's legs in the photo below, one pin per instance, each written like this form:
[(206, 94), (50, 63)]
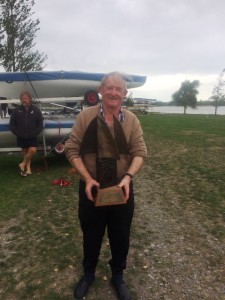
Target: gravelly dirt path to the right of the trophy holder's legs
[(181, 259)]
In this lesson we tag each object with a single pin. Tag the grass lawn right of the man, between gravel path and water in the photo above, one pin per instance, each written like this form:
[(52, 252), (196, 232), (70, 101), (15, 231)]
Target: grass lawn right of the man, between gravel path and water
[(189, 151)]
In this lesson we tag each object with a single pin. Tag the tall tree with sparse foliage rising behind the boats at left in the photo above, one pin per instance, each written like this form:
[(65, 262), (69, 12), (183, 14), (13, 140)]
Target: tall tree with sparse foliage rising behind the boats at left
[(17, 34)]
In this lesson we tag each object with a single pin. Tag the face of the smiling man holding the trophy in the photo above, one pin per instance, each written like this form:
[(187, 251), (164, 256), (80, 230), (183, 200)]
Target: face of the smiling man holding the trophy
[(113, 92)]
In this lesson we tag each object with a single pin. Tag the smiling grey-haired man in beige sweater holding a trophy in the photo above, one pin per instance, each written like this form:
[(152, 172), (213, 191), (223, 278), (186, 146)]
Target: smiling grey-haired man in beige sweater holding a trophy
[(107, 149)]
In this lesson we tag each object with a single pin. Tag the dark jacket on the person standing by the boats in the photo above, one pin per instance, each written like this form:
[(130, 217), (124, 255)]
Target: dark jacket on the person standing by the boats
[(26, 124)]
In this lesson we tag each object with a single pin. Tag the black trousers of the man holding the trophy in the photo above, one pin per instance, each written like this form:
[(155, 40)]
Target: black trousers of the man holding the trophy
[(95, 220)]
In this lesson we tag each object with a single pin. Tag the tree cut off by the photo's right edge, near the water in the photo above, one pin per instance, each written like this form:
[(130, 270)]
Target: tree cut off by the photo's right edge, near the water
[(218, 96)]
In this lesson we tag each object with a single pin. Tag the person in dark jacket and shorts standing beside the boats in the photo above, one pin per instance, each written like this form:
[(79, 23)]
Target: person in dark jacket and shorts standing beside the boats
[(26, 122)]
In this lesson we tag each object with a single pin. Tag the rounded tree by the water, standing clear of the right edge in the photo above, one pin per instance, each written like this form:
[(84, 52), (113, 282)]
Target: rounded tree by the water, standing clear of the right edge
[(186, 95)]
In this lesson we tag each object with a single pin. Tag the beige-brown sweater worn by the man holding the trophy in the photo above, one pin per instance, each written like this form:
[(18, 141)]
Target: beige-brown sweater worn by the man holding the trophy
[(132, 130)]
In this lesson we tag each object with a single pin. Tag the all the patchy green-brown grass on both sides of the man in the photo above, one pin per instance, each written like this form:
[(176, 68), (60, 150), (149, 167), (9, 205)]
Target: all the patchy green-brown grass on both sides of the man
[(40, 237)]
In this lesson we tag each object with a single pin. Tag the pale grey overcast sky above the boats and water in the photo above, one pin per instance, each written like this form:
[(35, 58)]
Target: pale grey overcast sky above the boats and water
[(168, 40)]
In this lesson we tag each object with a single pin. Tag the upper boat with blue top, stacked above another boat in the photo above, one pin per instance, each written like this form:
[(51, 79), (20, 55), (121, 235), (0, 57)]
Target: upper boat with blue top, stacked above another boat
[(57, 84)]
